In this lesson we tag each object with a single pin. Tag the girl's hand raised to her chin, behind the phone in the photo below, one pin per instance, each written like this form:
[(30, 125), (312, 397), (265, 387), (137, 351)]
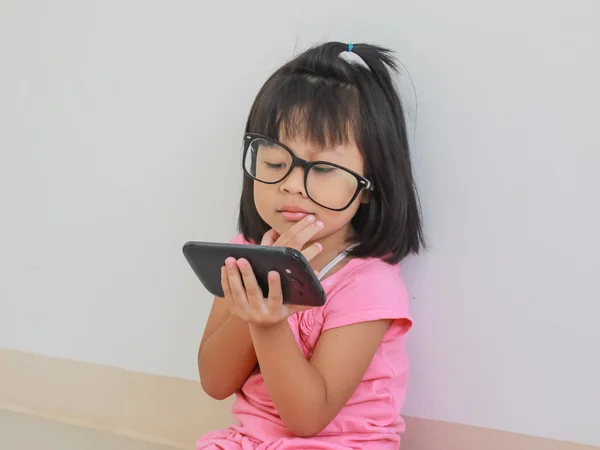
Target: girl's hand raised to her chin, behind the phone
[(297, 236)]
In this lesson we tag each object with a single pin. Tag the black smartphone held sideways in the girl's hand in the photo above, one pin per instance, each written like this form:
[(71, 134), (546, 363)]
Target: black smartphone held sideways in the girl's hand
[(299, 284)]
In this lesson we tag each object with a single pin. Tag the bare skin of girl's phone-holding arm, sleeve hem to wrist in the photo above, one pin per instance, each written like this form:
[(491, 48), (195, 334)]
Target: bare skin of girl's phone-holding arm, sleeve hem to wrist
[(309, 394)]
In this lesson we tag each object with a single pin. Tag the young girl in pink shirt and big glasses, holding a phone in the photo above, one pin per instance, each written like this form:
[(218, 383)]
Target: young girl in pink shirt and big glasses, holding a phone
[(327, 171)]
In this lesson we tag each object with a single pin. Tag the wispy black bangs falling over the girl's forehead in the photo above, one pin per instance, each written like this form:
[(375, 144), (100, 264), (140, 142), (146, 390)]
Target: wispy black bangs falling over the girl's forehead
[(319, 110)]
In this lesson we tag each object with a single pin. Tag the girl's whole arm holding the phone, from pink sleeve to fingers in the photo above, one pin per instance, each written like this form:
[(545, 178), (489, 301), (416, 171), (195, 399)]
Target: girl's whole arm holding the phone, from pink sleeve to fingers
[(309, 394)]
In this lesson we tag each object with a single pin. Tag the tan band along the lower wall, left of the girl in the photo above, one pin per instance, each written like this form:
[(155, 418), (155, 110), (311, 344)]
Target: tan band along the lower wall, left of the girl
[(167, 410)]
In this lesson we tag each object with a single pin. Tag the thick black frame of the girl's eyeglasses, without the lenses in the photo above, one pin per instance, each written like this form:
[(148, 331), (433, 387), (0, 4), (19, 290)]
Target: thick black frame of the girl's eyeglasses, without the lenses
[(363, 183)]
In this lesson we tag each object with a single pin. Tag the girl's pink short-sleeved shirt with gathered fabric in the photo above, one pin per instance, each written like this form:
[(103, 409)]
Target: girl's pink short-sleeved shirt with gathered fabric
[(362, 290)]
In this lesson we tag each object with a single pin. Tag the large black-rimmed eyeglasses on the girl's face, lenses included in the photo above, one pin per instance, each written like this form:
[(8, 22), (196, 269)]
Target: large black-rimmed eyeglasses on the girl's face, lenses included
[(327, 184)]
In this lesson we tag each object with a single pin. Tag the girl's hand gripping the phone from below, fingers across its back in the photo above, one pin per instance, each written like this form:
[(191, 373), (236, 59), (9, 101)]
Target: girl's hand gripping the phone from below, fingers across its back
[(245, 298)]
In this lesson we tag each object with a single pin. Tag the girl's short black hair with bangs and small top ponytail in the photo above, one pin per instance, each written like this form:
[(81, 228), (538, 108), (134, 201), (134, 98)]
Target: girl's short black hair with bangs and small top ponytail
[(329, 98)]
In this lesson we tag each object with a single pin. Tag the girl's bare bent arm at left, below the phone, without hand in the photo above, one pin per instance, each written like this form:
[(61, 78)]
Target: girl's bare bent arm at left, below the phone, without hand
[(226, 356)]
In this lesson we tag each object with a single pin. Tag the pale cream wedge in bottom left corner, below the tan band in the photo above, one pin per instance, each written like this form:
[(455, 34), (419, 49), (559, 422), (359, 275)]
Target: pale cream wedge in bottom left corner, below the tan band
[(25, 432)]
